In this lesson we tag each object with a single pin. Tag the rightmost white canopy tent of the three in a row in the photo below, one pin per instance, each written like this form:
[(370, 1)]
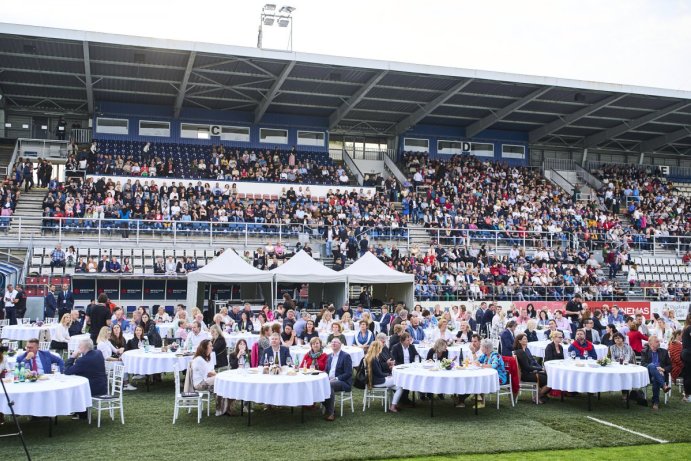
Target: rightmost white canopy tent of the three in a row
[(385, 282)]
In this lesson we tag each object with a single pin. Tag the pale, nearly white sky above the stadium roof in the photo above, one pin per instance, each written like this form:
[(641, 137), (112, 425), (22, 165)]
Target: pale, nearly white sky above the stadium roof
[(637, 42)]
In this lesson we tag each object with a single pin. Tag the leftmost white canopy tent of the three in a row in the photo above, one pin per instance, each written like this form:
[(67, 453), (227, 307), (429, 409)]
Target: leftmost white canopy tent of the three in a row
[(229, 267)]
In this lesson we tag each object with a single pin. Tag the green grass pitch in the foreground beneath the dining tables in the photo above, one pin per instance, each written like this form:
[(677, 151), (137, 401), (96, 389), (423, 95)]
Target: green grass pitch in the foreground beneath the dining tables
[(540, 430)]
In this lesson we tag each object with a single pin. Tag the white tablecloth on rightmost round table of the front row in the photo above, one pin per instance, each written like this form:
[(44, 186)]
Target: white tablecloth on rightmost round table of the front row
[(564, 375)]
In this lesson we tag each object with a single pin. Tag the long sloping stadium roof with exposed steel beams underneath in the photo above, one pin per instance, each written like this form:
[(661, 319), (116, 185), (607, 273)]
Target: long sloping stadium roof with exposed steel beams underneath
[(68, 70)]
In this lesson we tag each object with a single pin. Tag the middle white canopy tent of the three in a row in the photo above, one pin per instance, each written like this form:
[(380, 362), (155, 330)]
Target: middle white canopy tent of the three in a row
[(325, 285)]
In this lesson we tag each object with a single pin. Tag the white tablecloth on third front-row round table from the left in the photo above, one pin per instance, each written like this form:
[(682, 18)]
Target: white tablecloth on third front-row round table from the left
[(436, 381)]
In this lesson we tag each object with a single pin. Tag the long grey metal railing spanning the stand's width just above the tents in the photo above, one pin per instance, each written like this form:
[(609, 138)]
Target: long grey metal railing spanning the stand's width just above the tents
[(18, 229)]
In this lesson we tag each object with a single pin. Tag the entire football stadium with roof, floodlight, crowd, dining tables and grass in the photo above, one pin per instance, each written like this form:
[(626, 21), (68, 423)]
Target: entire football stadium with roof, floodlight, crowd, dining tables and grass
[(213, 251)]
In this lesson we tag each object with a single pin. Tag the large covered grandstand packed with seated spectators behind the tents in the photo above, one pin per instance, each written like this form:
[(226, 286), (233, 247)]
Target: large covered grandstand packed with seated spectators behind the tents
[(486, 186)]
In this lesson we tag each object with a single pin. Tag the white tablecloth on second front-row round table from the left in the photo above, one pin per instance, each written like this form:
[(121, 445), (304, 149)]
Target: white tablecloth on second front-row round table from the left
[(280, 390)]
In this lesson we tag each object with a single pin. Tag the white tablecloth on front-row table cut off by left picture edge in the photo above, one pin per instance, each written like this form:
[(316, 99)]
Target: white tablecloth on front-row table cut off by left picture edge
[(59, 395)]
